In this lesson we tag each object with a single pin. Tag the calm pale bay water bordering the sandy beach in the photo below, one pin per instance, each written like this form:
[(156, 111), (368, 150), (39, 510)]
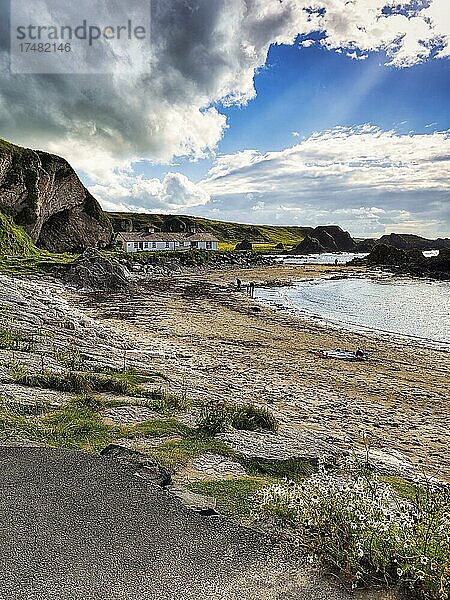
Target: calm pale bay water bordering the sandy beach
[(415, 310)]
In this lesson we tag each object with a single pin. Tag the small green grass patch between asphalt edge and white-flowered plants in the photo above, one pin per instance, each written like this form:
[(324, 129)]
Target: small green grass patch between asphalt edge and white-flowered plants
[(234, 496)]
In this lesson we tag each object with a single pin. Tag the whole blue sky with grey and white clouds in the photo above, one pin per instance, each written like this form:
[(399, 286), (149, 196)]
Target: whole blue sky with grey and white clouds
[(302, 112)]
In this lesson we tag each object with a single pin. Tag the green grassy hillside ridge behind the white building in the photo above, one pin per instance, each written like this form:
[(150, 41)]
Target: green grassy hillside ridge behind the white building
[(227, 233)]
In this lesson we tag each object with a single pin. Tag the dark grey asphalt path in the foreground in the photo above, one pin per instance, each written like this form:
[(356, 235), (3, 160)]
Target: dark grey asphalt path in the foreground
[(77, 526)]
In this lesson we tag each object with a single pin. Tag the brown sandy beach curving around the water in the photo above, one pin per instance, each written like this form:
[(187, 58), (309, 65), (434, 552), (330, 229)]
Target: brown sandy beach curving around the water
[(214, 342)]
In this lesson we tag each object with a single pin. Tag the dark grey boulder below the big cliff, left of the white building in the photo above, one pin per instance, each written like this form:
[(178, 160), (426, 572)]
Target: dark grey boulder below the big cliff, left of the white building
[(92, 271)]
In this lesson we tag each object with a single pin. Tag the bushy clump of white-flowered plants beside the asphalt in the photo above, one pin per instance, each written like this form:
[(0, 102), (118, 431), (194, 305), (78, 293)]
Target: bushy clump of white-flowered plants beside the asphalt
[(360, 528)]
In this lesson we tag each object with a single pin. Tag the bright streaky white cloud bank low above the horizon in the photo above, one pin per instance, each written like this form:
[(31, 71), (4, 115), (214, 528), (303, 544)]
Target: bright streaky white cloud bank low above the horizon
[(367, 180)]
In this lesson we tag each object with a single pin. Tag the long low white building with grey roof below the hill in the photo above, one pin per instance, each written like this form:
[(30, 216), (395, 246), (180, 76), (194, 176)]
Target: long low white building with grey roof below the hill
[(148, 241)]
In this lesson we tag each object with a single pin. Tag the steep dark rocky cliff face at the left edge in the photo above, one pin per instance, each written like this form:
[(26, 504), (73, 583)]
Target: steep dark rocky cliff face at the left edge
[(45, 196)]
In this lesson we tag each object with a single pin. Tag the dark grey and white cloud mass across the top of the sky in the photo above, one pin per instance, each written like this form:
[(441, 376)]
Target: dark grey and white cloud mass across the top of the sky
[(202, 52)]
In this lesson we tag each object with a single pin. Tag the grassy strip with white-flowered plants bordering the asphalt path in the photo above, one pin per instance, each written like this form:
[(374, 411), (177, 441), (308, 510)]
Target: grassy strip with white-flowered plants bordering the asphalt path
[(371, 531)]
